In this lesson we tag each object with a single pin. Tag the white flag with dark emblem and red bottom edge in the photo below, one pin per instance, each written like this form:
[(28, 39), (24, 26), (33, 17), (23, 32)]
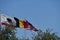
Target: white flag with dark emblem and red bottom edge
[(7, 21)]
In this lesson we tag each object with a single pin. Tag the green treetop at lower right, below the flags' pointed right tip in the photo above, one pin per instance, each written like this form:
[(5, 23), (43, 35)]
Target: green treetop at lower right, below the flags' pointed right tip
[(45, 36)]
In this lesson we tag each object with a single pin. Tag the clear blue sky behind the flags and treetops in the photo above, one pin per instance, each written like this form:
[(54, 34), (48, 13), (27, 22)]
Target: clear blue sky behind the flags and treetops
[(41, 13)]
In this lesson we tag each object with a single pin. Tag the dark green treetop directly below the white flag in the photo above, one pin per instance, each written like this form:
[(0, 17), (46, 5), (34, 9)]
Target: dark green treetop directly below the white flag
[(7, 34)]
